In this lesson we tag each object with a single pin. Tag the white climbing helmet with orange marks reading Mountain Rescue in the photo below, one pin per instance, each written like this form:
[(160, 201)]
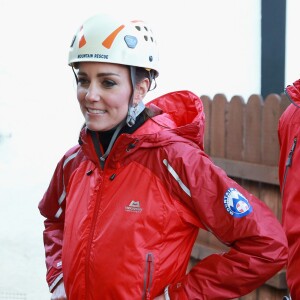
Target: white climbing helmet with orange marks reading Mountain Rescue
[(103, 38)]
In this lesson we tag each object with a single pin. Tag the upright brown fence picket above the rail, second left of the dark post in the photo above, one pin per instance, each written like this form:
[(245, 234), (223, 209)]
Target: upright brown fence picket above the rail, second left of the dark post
[(235, 129)]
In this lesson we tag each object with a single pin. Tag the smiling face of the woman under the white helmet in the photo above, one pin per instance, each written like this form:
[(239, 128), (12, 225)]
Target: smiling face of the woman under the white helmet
[(103, 92)]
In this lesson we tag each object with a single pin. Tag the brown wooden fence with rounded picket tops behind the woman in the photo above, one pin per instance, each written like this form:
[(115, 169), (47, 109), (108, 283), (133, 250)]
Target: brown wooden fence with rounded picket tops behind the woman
[(241, 137)]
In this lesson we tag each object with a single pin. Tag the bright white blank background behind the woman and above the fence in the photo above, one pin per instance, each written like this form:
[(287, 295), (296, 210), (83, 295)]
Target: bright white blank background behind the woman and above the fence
[(208, 47)]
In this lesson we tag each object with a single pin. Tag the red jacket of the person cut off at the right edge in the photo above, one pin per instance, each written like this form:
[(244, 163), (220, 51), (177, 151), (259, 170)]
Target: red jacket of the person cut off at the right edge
[(289, 175)]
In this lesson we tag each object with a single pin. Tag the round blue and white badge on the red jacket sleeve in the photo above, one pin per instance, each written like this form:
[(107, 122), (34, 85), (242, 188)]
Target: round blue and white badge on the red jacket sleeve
[(236, 204)]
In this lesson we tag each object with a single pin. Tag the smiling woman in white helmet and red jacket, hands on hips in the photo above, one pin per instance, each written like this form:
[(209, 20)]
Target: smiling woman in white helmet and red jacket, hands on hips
[(125, 205)]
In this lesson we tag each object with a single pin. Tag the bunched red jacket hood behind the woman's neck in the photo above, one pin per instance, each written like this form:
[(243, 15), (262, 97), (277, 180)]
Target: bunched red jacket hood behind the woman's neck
[(182, 113)]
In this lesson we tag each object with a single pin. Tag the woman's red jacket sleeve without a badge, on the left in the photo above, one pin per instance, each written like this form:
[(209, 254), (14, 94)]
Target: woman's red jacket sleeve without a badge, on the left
[(52, 207)]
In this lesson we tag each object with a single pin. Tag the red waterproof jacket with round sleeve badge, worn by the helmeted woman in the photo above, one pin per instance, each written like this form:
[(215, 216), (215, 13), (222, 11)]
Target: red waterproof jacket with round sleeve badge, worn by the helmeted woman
[(126, 231)]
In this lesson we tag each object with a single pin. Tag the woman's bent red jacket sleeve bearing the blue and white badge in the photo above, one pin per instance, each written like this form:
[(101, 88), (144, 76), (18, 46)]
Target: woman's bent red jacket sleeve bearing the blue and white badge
[(257, 243)]
